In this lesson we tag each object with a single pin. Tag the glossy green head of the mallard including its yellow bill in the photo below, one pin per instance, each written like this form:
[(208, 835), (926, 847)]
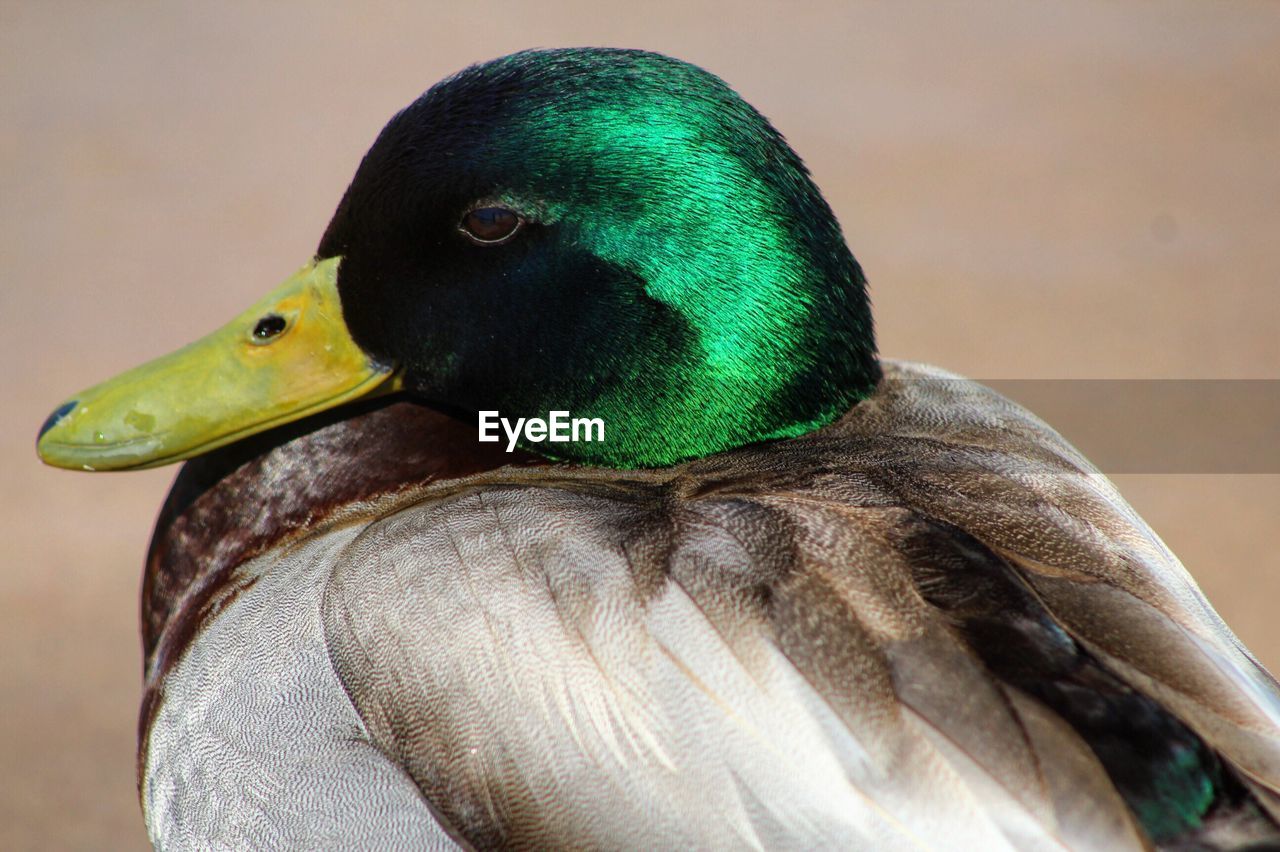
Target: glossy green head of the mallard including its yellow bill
[(611, 233)]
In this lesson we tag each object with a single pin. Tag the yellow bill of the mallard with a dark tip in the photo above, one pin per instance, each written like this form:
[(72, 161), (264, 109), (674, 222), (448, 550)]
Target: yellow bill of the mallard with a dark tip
[(287, 358)]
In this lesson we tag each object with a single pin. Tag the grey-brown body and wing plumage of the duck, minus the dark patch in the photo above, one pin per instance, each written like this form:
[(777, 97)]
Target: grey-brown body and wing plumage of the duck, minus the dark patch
[(738, 653)]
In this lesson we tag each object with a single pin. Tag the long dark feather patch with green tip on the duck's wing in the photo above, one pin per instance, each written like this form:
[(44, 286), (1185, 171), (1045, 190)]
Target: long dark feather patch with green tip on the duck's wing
[(1173, 782)]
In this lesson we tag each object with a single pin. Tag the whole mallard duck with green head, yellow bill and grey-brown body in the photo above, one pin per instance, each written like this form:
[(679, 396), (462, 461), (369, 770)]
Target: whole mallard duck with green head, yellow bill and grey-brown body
[(796, 597)]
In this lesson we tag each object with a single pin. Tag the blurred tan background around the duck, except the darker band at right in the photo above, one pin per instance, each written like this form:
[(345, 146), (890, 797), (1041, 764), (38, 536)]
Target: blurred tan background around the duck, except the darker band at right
[(1082, 190)]
